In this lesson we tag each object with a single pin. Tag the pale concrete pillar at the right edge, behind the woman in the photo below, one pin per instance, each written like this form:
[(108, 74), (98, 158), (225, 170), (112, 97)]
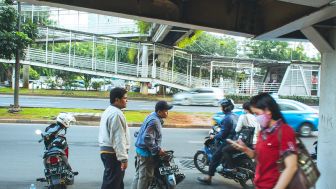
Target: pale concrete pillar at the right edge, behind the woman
[(327, 122)]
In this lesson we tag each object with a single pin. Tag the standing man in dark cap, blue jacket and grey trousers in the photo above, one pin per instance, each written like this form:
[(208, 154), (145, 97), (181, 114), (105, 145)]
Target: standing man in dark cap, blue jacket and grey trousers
[(148, 145)]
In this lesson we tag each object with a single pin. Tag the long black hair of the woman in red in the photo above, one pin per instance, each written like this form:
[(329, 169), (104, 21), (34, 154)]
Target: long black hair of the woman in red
[(265, 101)]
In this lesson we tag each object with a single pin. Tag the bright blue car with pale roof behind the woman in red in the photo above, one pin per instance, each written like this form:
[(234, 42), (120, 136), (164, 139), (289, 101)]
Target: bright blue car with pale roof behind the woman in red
[(302, 118)]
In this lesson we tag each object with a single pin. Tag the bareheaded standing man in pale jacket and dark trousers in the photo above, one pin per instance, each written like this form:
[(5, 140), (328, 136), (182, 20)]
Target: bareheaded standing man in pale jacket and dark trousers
[(114, 140)]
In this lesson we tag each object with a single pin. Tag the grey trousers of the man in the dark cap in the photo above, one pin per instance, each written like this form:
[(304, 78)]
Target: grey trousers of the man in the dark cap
[(144, 172)]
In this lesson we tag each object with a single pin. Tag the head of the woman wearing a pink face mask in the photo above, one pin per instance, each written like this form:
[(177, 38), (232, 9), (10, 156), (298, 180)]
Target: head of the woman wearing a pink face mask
[(264, 105)]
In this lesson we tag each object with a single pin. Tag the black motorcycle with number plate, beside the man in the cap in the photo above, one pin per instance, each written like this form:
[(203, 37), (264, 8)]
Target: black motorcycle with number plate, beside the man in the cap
[(166, 174)]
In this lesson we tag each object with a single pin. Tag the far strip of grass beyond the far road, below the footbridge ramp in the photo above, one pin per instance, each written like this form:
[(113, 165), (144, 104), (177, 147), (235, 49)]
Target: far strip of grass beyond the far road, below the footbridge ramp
[(77, 93)]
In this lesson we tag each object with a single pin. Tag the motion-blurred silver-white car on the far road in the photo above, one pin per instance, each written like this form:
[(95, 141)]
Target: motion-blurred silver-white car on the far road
[(199, 96)]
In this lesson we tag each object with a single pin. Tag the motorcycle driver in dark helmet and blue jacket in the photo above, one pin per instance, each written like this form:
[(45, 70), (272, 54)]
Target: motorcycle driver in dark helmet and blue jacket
[(227, 131)]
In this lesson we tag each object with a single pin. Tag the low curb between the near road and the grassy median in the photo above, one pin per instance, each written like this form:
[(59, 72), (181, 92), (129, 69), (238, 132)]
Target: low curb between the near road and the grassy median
[(94, 123)]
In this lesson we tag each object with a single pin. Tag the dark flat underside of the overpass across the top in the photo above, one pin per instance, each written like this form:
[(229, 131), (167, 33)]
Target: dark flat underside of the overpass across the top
[(243, 18)]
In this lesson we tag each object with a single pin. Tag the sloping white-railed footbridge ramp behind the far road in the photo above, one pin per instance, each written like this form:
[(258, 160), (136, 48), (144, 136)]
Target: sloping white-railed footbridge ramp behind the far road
[(143, 66)]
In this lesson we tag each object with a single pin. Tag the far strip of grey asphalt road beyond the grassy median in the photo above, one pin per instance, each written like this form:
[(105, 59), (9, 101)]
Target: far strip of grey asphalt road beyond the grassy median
[(91, 103)]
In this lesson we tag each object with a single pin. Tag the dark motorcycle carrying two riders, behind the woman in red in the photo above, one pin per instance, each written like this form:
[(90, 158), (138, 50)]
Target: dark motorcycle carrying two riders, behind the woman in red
[(244, 166)]
